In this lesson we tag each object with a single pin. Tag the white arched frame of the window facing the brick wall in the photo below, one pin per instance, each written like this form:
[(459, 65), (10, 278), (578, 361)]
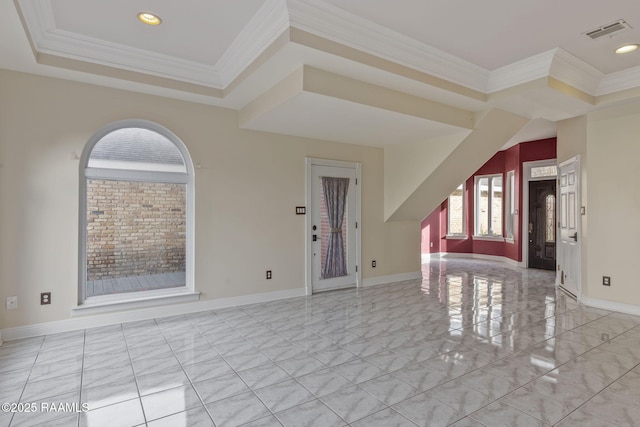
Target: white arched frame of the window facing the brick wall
[(106, 303)]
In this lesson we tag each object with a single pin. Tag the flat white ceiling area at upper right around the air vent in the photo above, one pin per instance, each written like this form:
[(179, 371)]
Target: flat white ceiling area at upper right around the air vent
[(496, 33)]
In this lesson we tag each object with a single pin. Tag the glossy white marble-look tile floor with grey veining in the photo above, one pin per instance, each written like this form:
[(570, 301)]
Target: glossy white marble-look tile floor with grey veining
[(475, 343)]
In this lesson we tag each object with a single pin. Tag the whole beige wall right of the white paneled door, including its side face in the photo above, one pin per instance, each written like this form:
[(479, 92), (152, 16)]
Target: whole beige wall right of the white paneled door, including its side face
[(607, 142)]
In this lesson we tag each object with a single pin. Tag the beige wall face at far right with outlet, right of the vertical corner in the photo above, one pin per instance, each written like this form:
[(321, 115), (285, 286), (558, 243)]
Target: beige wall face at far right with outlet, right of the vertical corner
[(613, 143)]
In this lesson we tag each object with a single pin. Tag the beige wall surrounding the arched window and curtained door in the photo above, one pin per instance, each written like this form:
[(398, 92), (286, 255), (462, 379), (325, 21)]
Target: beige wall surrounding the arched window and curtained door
[(247, 187)]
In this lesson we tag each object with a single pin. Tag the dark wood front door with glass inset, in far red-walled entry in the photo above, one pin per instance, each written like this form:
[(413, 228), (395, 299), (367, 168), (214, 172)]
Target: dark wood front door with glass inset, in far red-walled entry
[(542, 224)]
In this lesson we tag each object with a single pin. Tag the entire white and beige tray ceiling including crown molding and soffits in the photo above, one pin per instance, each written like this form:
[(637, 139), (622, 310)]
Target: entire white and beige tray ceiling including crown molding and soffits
[(459, 54)]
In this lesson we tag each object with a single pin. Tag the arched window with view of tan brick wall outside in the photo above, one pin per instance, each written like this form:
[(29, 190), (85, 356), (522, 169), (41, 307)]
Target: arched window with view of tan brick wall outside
[(136, 203)]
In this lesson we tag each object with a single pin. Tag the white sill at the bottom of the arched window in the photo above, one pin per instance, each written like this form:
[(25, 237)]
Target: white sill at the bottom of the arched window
[(97, 305)]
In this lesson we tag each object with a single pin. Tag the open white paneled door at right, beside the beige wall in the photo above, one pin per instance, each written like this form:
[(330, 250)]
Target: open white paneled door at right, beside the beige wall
[(569, 259)]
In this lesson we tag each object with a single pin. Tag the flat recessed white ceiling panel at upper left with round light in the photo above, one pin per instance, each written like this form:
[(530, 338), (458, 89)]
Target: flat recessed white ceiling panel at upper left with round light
[(205, 28)]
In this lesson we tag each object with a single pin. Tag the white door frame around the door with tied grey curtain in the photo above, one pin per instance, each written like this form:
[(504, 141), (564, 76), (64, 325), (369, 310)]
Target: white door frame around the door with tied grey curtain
[(311, 161)]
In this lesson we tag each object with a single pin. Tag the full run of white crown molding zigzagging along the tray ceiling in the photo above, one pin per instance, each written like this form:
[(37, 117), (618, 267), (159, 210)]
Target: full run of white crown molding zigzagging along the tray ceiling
[(324, 20)]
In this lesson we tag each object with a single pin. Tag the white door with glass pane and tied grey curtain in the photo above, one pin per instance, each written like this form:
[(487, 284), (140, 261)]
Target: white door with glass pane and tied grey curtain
[(320, 232)]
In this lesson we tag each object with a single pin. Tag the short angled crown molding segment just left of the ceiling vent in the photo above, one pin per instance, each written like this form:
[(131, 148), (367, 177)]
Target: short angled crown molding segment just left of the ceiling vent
[(521, 72)]
